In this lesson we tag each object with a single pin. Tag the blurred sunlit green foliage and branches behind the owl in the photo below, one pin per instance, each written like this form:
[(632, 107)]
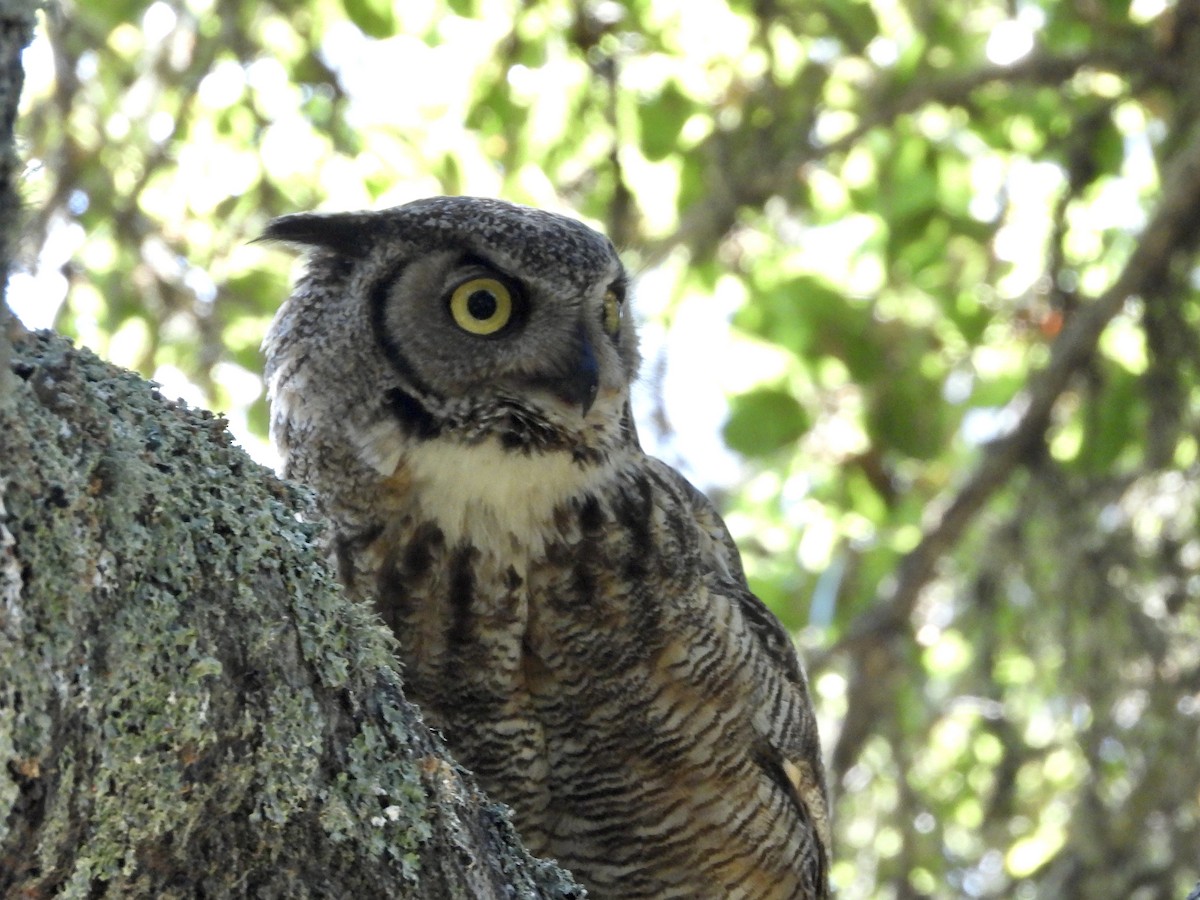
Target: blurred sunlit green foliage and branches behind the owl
[(903, 207)]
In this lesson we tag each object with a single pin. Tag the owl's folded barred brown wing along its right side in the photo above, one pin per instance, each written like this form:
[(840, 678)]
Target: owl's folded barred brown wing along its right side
[(787, 745)]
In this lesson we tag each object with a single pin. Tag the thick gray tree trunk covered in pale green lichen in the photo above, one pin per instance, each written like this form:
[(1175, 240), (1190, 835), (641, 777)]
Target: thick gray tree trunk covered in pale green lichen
[(189, 706)]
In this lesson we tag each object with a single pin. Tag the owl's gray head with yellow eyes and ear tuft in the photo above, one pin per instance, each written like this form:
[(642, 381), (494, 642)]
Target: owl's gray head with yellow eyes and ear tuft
[(457, 317)]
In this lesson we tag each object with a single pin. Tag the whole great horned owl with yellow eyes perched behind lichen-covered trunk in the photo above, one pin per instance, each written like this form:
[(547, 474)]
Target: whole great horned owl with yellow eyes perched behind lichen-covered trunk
[(453, 379)]
